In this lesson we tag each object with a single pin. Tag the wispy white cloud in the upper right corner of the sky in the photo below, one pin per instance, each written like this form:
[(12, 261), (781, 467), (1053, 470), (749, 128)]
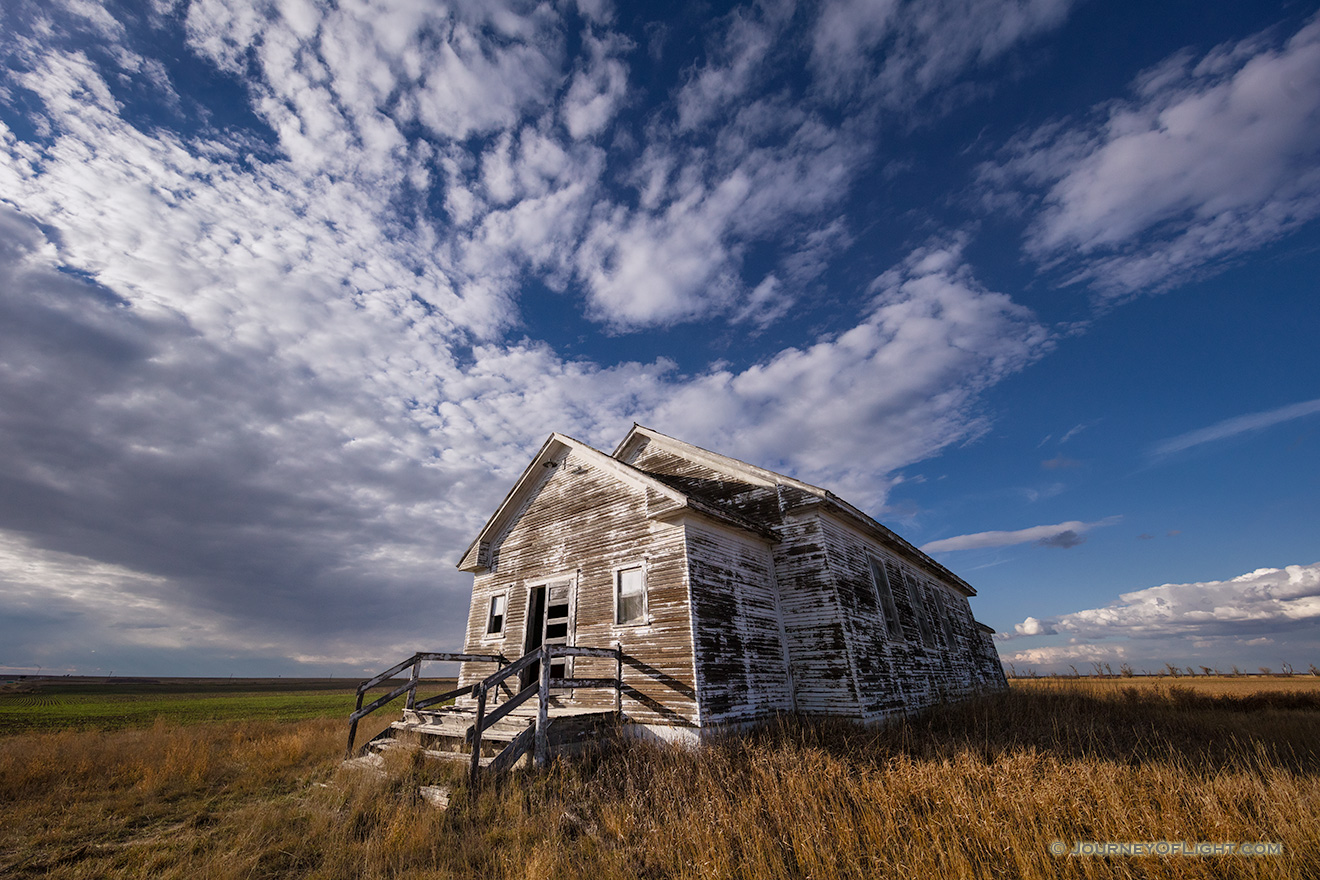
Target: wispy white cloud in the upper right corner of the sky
[(1210, 159)]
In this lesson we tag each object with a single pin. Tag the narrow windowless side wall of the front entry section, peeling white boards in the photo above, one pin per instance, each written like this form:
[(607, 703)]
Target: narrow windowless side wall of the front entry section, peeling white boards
[(741, 666)]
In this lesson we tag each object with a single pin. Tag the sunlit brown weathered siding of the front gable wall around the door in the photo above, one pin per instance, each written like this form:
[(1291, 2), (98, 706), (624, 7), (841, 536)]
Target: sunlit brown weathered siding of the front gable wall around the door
[(583, 523)]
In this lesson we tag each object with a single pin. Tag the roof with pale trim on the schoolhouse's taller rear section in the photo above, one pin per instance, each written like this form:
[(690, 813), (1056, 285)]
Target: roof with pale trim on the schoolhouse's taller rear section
[(760, 476)]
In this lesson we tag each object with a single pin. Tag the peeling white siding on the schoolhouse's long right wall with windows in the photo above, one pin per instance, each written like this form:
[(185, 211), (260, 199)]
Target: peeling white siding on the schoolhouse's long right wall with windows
[(925, 666)]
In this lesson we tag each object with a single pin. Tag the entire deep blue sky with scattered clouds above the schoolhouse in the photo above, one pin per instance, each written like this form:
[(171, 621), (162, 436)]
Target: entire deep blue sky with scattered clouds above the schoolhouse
[(291, 292)]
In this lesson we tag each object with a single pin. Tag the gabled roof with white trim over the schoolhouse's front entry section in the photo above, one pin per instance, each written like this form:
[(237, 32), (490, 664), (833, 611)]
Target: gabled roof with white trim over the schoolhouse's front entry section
[(552, 453)]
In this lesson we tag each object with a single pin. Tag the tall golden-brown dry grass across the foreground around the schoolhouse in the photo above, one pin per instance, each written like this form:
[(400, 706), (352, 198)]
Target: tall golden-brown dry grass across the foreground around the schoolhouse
[(977, 790)]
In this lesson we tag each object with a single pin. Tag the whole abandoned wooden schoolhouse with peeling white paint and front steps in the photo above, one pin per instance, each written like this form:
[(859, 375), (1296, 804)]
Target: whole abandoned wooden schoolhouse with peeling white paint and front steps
[(679, 590)]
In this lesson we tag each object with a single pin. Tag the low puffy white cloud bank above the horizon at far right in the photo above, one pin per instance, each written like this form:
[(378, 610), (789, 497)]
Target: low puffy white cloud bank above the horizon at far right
[(1265, 600)]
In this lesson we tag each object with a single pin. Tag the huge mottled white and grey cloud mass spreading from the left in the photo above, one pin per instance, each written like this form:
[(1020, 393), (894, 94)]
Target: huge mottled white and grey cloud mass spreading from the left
[(249, 381)]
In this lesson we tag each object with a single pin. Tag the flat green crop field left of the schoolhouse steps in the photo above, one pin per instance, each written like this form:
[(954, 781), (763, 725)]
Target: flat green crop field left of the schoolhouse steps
[(86, 704)]
